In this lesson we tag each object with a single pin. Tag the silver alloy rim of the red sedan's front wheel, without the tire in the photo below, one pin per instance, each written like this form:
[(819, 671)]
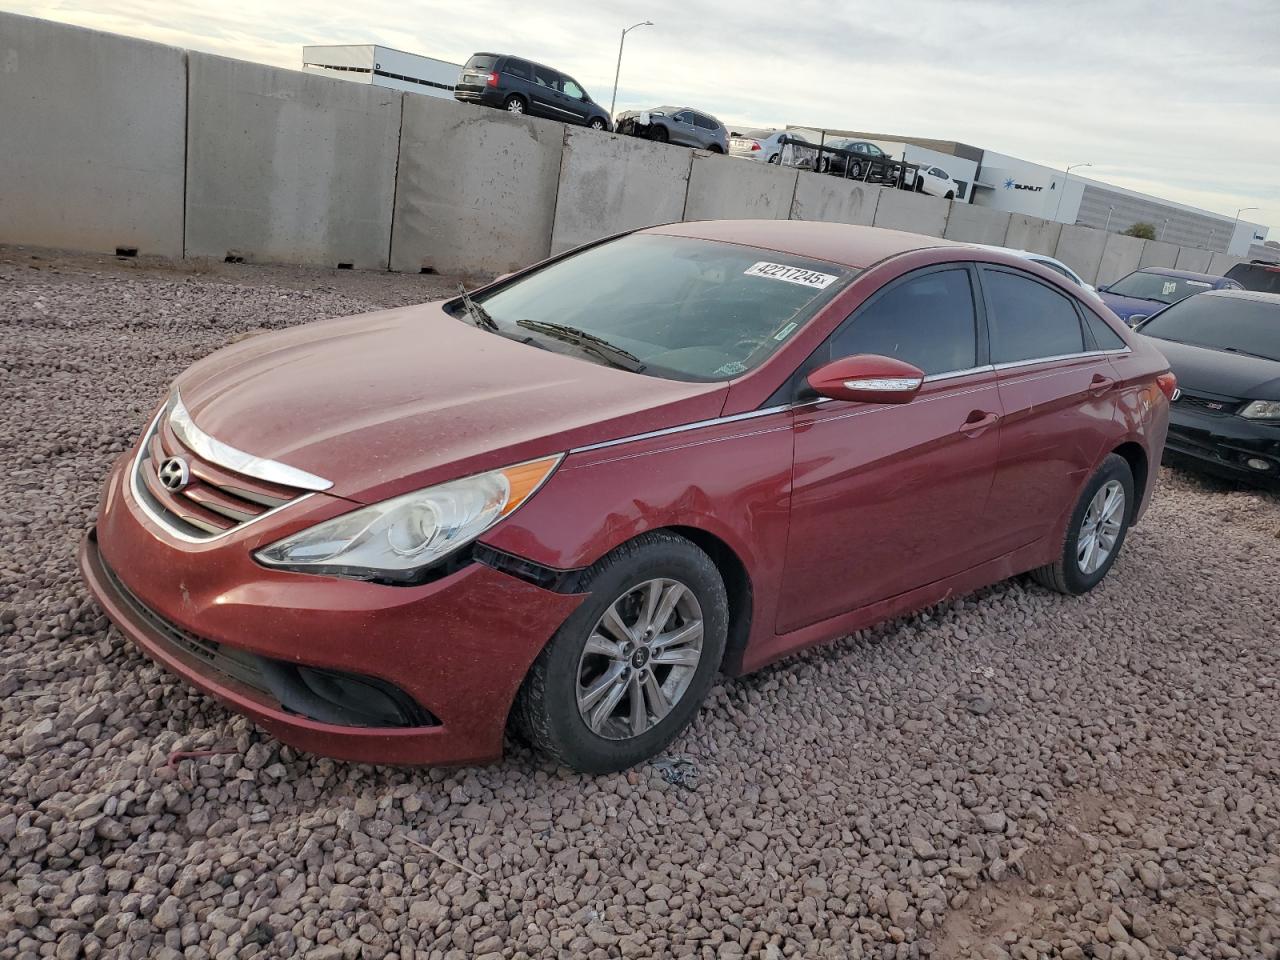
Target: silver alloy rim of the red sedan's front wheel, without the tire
[(639, 660)]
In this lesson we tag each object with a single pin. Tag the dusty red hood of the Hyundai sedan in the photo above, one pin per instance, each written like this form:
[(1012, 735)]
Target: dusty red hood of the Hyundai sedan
[(399, 400)]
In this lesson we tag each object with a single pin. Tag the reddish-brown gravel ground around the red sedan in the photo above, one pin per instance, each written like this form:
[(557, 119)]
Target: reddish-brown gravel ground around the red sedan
[(1011, 775)]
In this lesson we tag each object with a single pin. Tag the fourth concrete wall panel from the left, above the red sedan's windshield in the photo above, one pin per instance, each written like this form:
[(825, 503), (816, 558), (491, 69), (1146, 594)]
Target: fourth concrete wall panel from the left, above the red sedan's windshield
[(611, 184)]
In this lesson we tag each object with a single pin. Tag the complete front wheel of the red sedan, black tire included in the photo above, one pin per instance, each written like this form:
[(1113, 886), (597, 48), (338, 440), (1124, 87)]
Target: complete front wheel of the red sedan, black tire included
[(600, 735)]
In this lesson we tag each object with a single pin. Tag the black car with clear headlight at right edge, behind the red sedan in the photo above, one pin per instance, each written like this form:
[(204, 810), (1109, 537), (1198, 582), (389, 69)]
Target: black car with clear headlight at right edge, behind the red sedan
[(1224, 348)]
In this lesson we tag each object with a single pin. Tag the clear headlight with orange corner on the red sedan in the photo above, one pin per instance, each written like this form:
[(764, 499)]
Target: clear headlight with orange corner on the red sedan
[(397, 538)]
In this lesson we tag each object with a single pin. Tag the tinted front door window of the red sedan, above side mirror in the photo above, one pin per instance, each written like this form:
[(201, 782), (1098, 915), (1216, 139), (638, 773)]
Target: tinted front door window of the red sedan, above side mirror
[(926, 321)]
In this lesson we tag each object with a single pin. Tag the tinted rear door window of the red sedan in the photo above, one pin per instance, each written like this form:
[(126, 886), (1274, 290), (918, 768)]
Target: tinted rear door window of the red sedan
[(1028, 321)]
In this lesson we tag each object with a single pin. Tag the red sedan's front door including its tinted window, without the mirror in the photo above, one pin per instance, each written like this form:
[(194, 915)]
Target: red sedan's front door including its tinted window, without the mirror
[(892, 497)]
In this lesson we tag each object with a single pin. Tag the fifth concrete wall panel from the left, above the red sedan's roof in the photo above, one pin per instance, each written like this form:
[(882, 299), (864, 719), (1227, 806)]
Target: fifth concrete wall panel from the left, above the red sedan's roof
[(728, 189)]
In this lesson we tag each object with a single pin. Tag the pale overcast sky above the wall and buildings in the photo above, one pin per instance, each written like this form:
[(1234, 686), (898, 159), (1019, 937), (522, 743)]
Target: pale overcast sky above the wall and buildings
[(1174, 98)]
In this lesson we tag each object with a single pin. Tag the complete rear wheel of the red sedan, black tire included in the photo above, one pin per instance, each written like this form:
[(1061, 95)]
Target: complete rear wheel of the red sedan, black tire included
[(1073, 574)]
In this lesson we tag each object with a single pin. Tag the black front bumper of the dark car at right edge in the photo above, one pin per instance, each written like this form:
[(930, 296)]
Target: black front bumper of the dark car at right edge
[(1226, 445)]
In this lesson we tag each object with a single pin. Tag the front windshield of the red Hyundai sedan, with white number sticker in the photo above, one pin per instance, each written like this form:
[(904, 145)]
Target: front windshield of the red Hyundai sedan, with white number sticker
[(687, 309)]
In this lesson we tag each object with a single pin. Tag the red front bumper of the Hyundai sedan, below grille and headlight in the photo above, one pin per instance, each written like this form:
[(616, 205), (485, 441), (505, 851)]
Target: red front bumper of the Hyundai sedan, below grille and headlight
[(460, 647)]
